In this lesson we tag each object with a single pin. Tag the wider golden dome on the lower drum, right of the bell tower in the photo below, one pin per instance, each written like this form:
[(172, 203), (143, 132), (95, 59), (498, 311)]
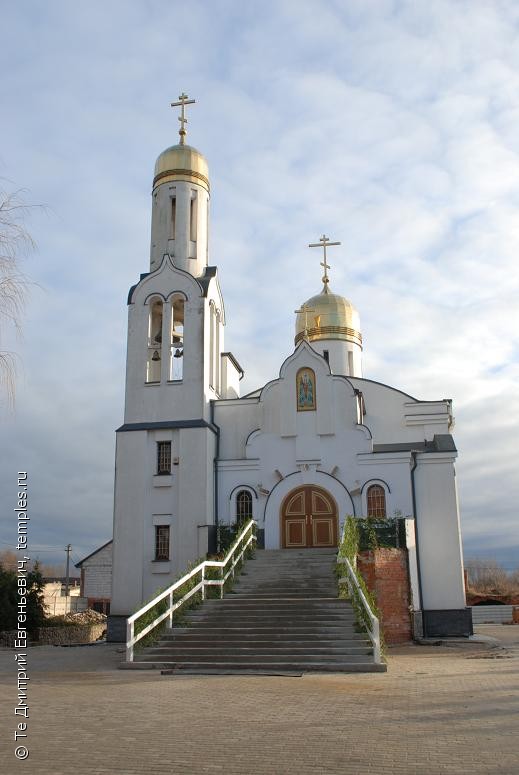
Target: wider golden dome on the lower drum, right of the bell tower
[(329, 316)]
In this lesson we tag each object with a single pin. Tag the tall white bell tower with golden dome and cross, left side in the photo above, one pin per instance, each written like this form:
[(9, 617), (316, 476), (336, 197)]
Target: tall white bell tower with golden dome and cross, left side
[(164, 501)]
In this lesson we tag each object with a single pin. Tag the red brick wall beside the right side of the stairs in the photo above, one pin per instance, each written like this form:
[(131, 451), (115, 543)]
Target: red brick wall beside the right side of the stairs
[(385, 573)]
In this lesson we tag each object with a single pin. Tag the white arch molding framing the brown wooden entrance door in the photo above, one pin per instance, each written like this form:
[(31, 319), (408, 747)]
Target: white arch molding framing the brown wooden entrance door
[(292, 481)]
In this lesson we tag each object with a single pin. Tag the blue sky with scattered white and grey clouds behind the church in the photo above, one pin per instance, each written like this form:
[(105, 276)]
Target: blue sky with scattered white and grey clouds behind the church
[(391, 126)]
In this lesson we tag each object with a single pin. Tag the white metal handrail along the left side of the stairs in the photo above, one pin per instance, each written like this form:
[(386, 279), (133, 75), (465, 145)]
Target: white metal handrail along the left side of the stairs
[(132, 638)]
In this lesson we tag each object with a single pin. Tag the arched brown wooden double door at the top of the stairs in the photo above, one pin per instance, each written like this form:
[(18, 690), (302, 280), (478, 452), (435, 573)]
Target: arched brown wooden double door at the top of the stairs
[(308, 519)]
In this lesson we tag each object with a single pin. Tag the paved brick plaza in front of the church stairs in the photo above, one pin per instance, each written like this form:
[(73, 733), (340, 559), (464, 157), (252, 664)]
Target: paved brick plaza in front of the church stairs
[(437, 710)]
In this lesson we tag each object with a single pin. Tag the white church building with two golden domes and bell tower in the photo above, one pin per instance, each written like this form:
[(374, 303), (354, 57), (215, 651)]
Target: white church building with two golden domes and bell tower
[(316, 443)]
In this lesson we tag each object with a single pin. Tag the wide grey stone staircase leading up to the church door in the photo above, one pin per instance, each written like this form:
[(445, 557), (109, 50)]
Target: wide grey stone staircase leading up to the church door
[(282, 616)]
